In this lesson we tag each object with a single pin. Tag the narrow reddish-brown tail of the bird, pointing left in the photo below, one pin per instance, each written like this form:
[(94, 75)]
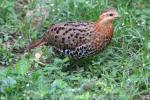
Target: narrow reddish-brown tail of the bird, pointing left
[(34, 44)]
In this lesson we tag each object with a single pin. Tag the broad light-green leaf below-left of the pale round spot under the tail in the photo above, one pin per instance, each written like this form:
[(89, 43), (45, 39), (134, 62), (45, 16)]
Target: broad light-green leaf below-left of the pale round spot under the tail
[(23, 66)]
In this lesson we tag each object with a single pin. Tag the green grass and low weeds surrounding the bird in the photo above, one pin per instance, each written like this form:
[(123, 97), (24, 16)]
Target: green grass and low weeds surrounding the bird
[(120, 72)]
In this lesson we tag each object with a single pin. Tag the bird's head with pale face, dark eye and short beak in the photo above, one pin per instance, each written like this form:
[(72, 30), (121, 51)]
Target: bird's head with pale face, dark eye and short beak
[(109, 15)]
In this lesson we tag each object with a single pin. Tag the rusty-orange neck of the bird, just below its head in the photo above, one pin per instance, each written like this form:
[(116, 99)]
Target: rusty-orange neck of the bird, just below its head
[(104, 28)]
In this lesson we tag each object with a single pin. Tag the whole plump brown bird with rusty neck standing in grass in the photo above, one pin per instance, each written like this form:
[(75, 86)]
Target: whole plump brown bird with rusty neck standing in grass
[(79, 39)]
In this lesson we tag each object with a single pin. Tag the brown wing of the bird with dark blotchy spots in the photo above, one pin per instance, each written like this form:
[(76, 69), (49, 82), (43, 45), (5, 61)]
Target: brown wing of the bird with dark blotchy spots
[(70, 35)]
